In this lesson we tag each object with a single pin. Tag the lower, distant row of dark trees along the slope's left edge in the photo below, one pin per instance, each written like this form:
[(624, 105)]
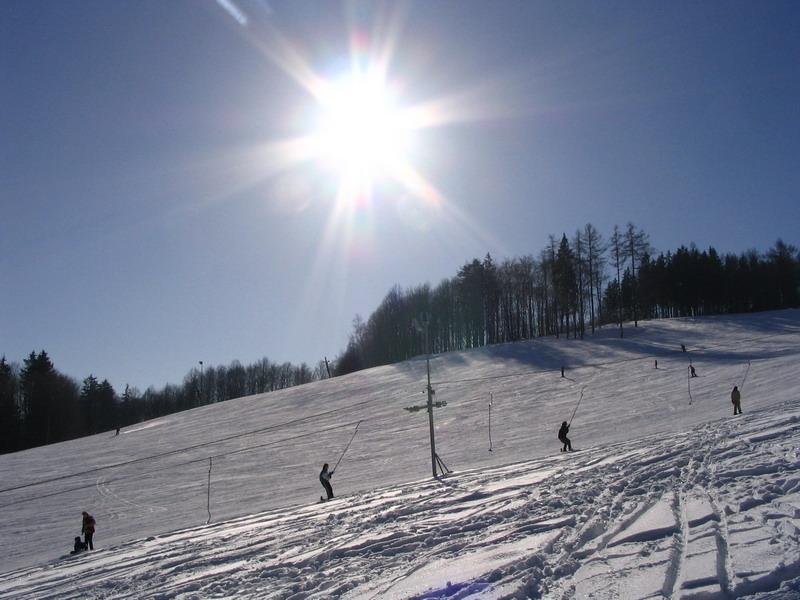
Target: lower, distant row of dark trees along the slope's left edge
[(39, 405)]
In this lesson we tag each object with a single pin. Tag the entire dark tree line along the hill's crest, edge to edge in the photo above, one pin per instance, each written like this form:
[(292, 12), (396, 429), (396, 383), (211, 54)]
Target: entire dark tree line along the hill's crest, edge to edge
[(572, 287)]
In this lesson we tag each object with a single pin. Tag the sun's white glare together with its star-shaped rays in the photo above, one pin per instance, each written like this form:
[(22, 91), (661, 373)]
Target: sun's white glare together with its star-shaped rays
[(356, 146)]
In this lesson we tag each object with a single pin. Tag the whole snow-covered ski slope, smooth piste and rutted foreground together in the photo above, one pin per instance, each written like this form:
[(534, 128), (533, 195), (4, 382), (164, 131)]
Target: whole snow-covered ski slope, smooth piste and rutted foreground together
[(664, 498)]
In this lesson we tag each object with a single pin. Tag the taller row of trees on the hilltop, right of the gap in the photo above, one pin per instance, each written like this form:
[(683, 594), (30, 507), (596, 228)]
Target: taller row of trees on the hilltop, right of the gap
[(573, 286)]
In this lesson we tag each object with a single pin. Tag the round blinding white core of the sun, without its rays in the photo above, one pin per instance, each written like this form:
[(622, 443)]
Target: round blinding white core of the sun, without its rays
[(362, 132)]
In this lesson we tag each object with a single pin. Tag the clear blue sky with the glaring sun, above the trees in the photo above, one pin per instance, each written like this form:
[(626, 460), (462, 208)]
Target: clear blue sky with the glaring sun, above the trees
[(177, 185)]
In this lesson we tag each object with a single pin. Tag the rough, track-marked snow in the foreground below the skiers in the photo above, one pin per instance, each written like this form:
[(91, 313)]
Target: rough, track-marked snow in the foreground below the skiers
[(713, 512)]
